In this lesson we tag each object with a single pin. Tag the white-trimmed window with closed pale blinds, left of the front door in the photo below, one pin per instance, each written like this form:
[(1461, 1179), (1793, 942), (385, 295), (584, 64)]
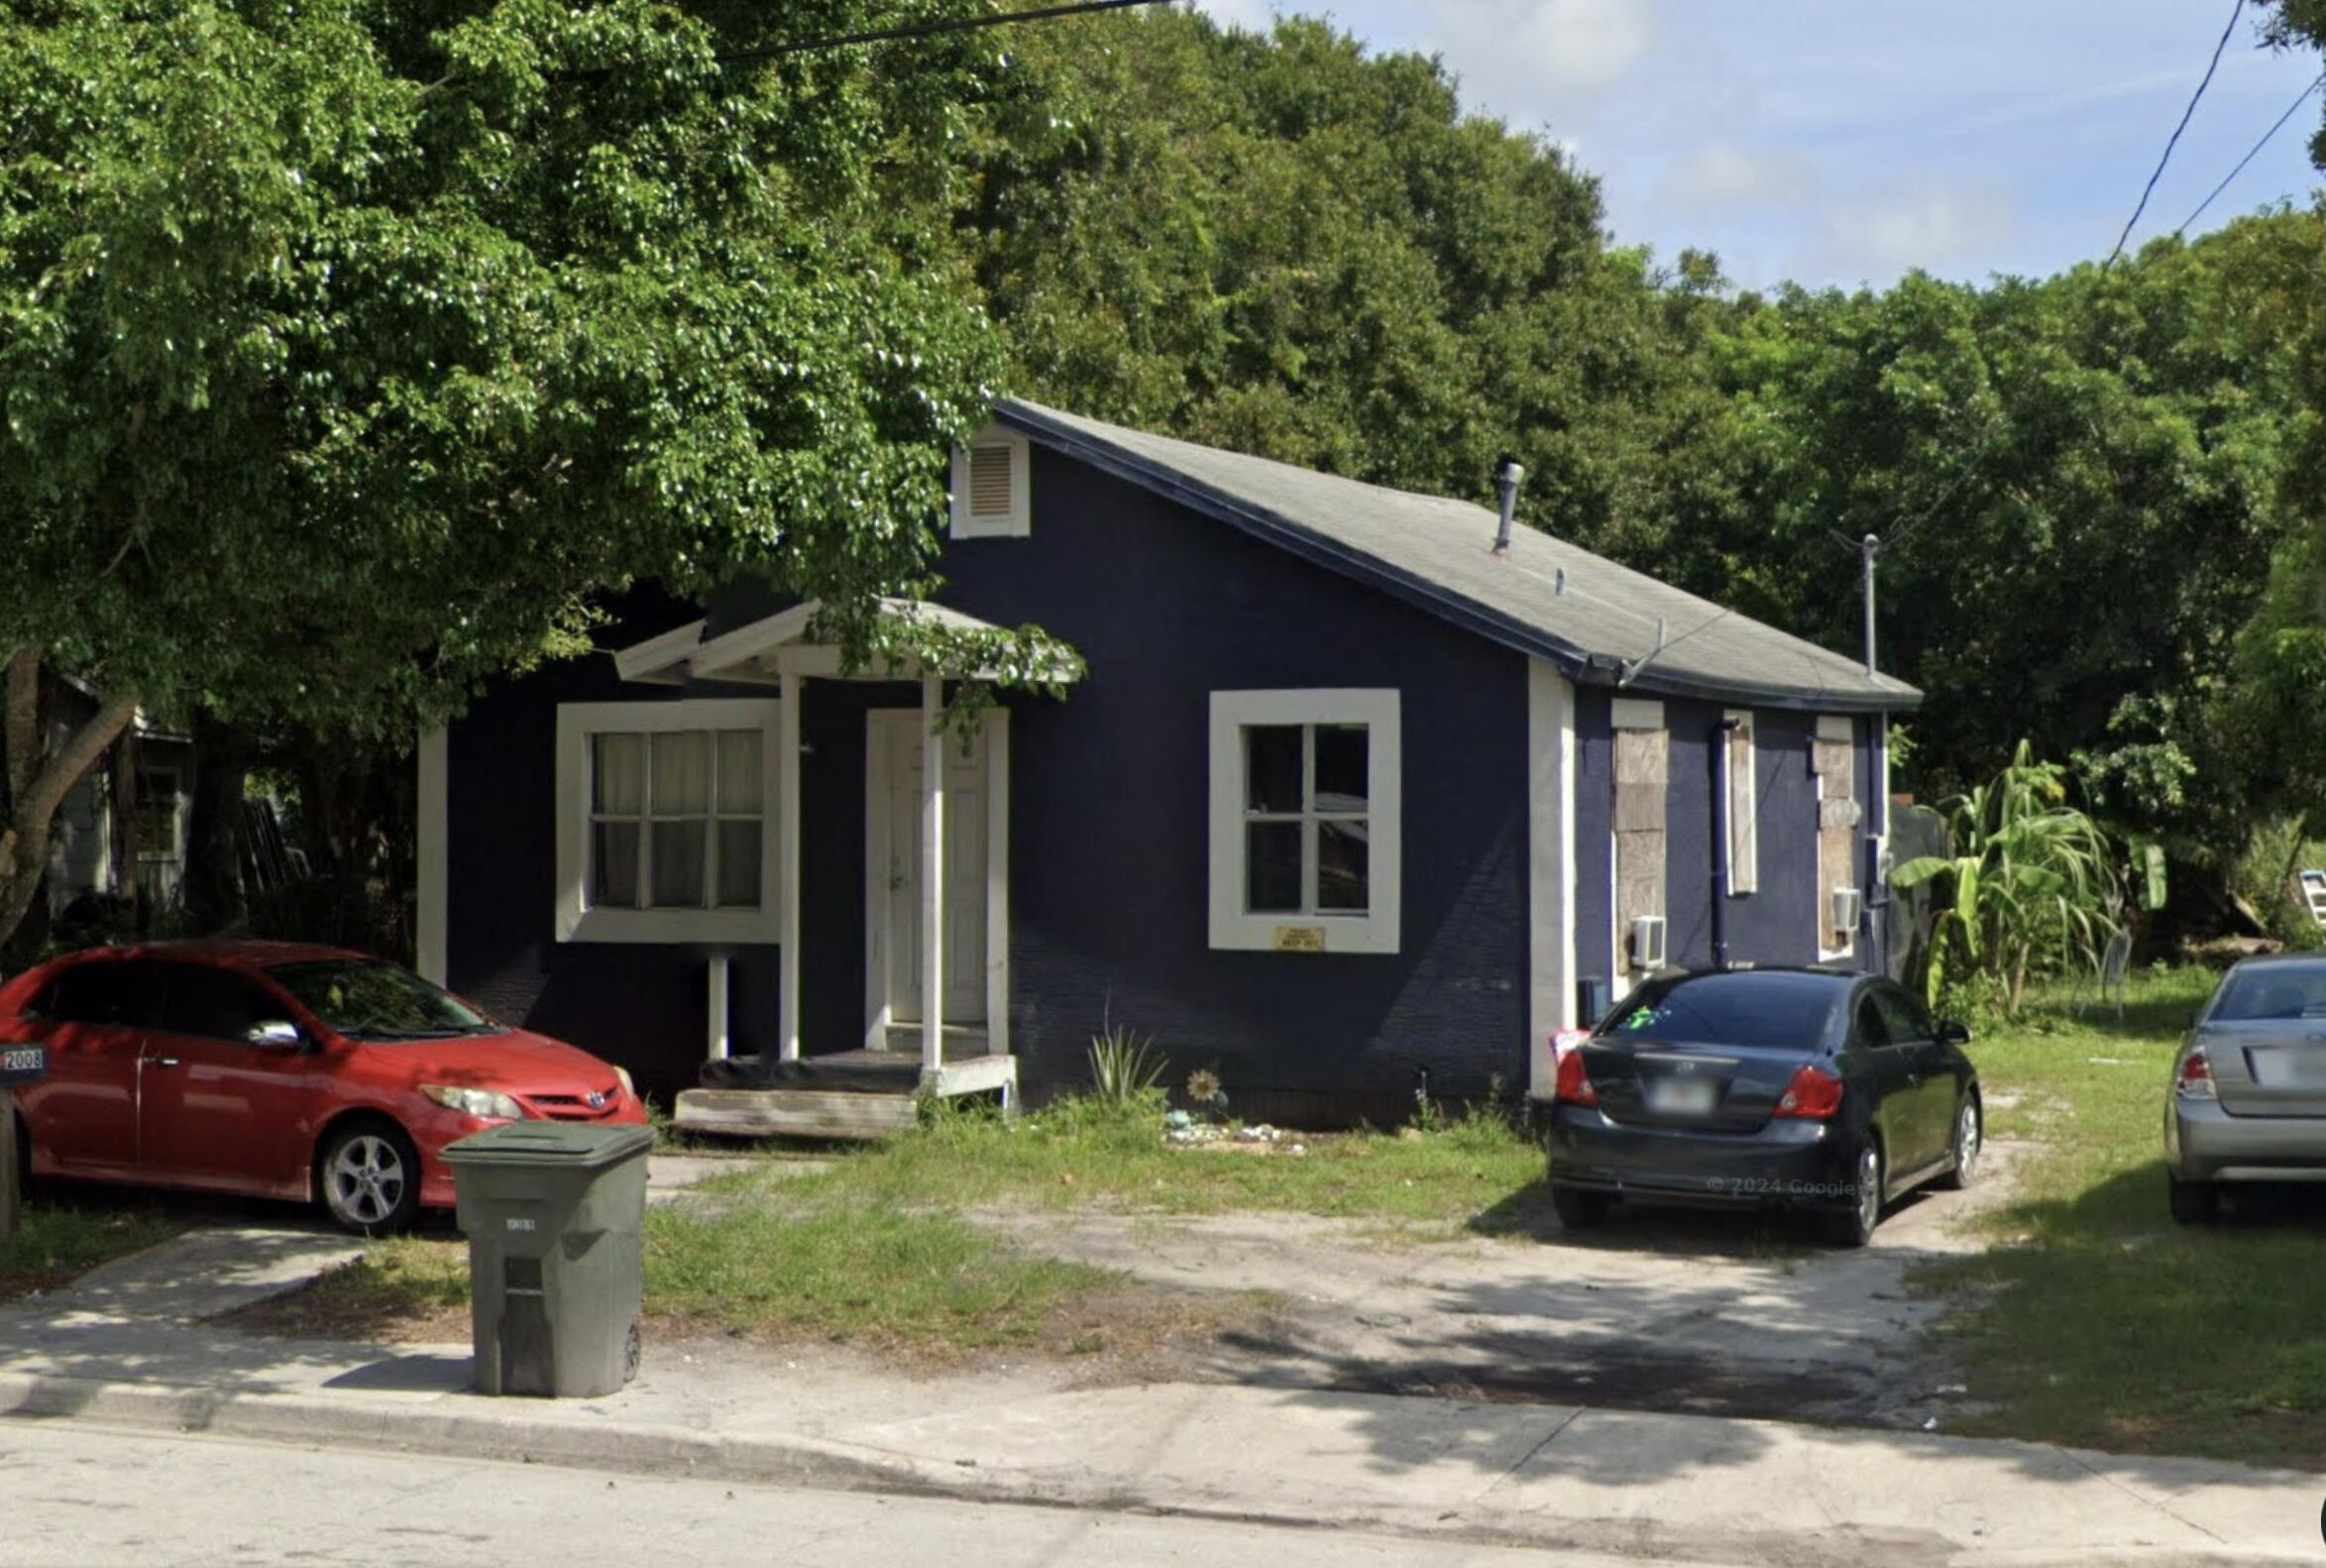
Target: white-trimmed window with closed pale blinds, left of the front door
[(666, 822)]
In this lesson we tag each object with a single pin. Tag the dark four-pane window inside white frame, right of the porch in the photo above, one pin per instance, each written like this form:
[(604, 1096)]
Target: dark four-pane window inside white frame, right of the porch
[(1306, 818)]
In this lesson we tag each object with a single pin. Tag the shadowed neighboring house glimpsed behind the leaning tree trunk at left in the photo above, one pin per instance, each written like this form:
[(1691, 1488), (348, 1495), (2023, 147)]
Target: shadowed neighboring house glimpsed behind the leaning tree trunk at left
[(124, 827)]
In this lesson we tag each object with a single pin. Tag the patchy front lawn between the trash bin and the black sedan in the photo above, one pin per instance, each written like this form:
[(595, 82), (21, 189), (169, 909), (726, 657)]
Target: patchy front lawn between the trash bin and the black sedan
[(876, 1250)]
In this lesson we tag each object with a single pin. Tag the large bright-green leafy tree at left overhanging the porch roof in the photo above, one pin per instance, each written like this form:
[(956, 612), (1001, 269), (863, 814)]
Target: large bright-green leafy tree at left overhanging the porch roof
[(350, 348)]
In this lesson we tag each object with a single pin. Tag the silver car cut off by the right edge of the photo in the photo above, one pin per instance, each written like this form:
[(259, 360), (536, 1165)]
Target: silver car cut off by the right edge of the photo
[(2250, 1085)]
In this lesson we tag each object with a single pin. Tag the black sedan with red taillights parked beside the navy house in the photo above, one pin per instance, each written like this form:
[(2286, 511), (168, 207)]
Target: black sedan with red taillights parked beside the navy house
[(1806, 1090)]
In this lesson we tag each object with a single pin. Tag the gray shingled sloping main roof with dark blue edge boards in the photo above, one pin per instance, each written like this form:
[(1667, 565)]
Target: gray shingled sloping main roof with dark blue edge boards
[(1599, 622)]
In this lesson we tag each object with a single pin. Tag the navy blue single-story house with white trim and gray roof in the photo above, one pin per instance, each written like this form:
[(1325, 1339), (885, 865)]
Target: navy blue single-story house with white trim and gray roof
[(1348, 797)]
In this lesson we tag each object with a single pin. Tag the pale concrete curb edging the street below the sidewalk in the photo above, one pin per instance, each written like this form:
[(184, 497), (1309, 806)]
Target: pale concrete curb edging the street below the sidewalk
[(583, 1439)]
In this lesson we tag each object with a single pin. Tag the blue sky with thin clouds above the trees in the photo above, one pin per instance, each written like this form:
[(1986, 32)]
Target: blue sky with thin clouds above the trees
[(1846, 143)]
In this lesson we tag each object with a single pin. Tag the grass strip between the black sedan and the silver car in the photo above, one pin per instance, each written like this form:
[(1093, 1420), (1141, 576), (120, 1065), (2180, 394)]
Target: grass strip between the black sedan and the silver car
[(2099, 1323)]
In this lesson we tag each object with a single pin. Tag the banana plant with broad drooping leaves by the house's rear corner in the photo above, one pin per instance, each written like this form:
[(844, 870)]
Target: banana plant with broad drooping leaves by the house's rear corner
[(2032, 878)]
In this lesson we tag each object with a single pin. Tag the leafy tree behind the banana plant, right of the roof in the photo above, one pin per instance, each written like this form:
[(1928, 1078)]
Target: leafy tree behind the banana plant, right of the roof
[(2078, 483)]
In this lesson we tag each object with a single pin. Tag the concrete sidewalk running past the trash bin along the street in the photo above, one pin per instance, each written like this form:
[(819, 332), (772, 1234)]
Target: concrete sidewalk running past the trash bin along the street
[(129, 1348)]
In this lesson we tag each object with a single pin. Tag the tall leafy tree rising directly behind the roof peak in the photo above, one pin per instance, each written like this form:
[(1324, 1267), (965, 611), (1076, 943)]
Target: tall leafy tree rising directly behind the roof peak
[(1287, 245)]
